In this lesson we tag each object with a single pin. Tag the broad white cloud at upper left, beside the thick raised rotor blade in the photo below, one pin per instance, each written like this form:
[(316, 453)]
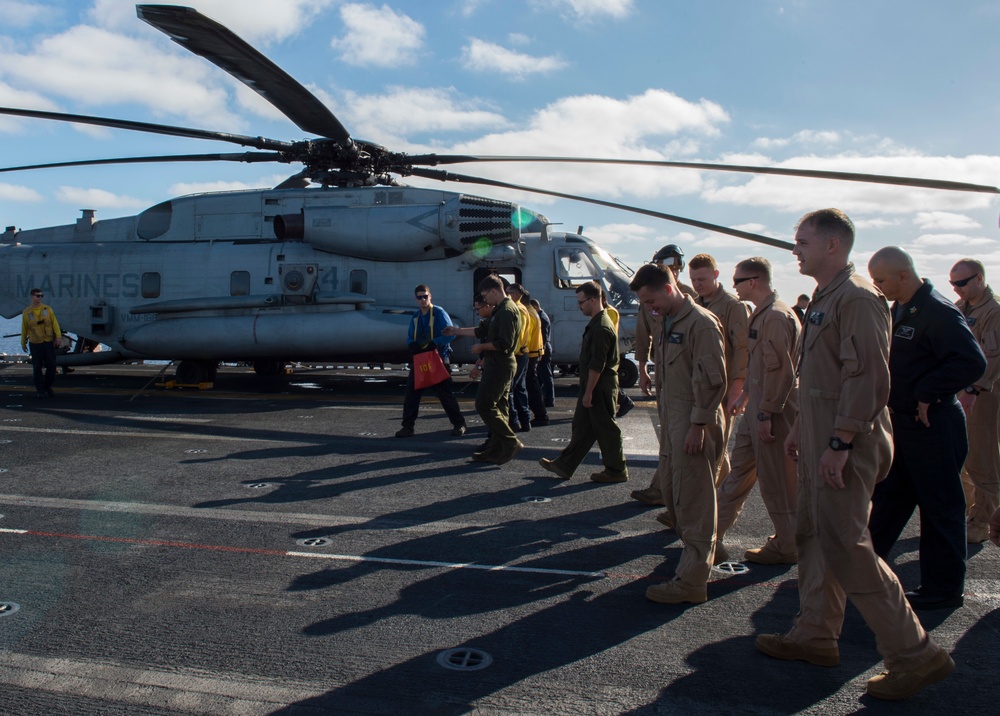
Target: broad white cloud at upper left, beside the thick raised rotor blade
[(96, 67)]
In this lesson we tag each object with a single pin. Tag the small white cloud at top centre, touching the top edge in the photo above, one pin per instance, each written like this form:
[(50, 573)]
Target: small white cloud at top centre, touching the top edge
[(378, 37)]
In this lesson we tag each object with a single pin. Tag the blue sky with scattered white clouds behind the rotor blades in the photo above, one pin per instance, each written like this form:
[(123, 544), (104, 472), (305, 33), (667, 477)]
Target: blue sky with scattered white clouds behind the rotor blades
[(900, 87)]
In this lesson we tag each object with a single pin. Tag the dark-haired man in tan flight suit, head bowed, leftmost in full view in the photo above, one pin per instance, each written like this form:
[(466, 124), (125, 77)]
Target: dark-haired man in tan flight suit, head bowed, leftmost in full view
[(690, 360)]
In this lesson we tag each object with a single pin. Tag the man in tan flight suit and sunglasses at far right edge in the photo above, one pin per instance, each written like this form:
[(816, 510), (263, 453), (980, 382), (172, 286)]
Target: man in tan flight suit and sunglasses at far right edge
[(981, 474)]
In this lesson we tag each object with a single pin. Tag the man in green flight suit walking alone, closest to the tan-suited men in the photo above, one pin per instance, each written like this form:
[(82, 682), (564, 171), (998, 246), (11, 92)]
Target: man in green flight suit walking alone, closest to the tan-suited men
[(594, 418)]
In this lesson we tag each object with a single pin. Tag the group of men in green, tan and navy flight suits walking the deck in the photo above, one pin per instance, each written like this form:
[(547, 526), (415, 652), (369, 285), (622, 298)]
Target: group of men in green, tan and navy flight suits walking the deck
[(855, 413)]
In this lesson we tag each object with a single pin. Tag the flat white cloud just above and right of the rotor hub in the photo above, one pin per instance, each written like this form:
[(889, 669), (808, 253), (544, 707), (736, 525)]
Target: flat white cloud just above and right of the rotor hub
[(403, 110)]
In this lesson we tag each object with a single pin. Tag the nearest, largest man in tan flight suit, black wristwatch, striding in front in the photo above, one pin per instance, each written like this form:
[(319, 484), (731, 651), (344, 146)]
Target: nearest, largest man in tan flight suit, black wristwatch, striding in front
[(842, 444)]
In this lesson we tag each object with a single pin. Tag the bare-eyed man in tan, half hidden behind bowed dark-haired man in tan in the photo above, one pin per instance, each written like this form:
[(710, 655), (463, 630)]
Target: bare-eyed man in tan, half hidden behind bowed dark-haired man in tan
[(733, 313)]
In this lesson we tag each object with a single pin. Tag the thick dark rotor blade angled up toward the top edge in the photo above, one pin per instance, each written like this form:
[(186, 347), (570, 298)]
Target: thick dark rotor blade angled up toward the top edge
[(223, 48)]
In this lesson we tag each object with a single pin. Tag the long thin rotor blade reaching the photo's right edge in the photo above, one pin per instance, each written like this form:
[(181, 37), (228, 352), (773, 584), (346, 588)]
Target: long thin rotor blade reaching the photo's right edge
[(435, 159)]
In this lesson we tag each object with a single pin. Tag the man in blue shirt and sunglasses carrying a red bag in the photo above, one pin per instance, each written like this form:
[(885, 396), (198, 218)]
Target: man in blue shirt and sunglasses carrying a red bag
[(425, 333)]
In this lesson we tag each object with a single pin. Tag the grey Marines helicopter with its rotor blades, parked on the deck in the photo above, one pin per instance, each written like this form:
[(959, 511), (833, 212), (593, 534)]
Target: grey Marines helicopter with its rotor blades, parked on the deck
[(322, 266)]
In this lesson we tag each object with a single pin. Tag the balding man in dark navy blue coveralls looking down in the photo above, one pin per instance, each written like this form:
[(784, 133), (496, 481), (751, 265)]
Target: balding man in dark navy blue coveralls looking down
[(932, 357)]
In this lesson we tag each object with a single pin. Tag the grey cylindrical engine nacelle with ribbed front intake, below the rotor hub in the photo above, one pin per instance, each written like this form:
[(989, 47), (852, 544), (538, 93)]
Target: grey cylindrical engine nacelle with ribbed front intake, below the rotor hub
[(405, 231)]
